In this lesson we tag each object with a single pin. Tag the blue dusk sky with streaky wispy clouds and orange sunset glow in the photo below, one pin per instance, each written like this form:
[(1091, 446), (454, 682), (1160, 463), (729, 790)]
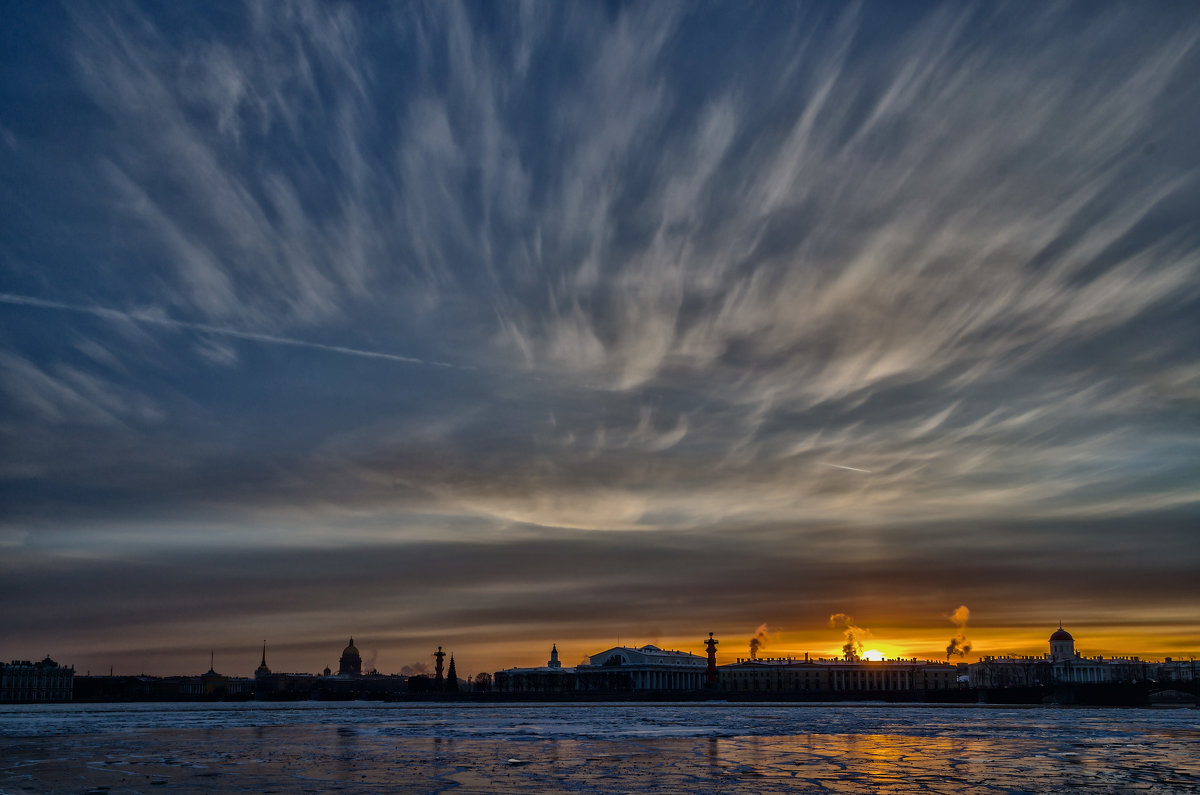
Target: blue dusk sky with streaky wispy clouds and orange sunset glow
[(505, 325)]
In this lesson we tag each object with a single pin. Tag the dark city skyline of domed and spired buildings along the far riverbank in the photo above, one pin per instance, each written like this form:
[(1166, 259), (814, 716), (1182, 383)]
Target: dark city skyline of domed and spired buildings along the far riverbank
[(1064, 676)]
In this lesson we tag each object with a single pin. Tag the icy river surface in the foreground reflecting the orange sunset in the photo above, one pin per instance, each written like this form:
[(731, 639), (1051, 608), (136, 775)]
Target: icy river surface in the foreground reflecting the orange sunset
[(313, 748)]
